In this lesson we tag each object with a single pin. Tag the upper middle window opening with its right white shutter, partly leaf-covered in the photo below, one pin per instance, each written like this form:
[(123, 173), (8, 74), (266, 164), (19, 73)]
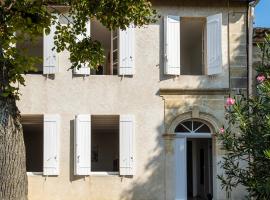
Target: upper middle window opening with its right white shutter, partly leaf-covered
[(118, 48)]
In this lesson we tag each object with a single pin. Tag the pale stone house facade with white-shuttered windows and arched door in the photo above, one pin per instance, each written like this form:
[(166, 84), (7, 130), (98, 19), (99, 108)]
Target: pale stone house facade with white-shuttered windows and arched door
[(142, 127)]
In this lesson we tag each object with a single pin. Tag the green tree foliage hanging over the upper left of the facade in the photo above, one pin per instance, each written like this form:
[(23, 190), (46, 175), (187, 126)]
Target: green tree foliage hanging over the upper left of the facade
[(30, 18)]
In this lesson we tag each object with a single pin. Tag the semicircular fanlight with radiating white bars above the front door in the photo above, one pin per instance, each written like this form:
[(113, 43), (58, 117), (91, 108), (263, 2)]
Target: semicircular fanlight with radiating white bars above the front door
[(193, 127)]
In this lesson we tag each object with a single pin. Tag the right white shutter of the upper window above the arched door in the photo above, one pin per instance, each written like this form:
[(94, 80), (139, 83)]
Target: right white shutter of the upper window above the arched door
[(214, 42)]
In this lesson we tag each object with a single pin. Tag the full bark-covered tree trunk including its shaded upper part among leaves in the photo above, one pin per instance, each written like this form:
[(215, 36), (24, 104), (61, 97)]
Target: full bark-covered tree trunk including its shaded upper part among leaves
[(13, 177)]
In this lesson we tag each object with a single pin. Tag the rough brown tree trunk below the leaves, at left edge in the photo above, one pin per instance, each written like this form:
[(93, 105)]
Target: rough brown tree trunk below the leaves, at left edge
[(13, 178)]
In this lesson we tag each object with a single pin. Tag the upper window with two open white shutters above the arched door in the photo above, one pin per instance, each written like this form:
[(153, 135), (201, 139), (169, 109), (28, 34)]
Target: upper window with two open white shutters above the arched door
[(193, 45)]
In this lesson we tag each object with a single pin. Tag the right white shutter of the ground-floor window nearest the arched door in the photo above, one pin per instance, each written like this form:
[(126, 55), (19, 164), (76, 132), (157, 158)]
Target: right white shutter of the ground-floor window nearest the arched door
[(127, 127)]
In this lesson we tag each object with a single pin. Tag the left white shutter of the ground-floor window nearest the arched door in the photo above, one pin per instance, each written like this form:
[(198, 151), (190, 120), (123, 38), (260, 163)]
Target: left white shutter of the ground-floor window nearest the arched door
[(82, 156)]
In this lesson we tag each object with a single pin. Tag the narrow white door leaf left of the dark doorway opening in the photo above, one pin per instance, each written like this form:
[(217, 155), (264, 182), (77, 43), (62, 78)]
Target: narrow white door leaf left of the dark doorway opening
[(180, 168)]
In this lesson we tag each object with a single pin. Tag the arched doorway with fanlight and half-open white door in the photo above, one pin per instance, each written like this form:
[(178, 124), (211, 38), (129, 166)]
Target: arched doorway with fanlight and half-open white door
[(193, 156)]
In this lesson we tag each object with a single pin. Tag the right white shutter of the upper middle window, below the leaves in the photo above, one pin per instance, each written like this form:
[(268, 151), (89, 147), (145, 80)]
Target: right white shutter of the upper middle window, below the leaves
[(126, 62)]
